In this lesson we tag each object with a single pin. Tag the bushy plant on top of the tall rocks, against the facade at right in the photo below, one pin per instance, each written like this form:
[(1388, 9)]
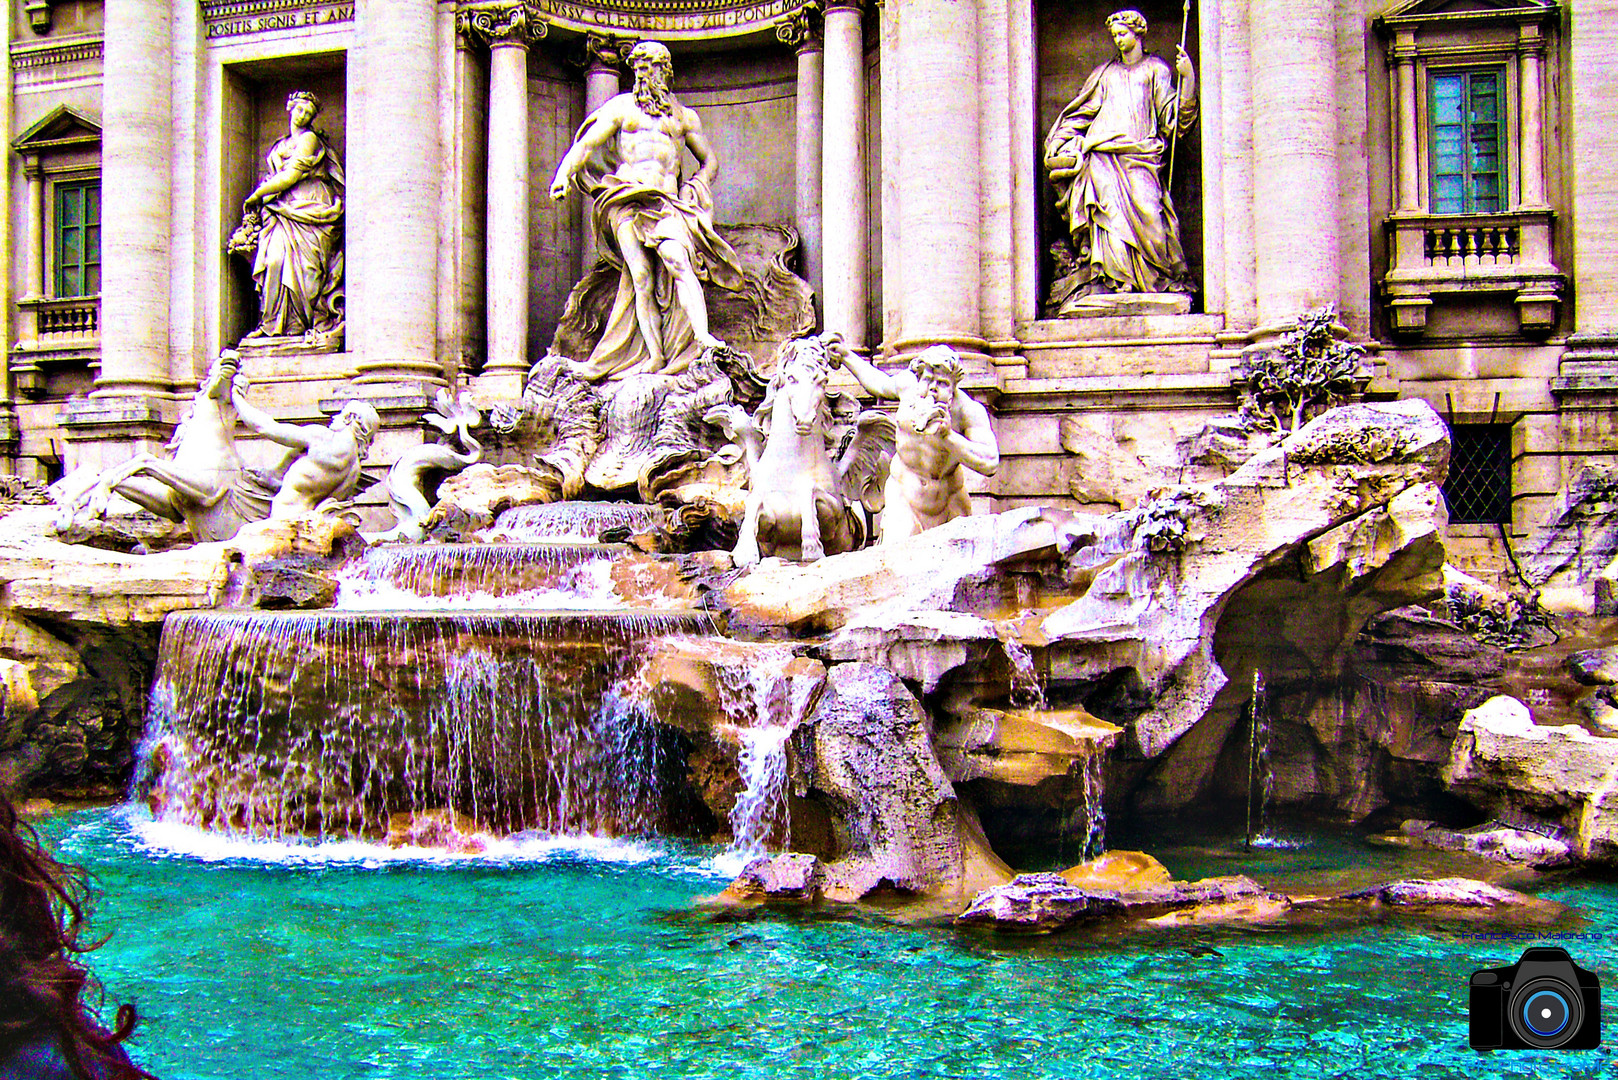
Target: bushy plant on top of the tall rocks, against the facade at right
[(1308, 368)]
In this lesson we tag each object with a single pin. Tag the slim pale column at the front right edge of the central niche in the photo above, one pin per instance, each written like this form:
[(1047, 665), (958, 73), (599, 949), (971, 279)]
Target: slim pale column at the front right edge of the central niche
[(845, 232)]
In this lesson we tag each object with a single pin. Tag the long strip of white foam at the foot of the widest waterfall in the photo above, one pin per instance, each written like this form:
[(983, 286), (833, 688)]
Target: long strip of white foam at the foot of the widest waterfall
[(172, 840)]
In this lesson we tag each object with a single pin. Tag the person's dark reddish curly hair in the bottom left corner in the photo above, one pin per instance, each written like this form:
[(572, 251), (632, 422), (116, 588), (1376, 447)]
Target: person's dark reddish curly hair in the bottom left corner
[(43, 980)]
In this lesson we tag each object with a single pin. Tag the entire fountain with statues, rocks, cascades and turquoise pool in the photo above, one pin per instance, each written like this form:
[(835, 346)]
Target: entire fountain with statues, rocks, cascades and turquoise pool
[(679, 713)]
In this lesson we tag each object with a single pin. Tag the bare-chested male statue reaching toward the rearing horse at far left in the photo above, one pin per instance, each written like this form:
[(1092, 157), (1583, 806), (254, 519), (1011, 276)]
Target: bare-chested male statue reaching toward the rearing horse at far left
[(323, 464)]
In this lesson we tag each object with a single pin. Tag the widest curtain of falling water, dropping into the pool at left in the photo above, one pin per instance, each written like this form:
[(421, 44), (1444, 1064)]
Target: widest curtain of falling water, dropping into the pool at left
[(329, 725)]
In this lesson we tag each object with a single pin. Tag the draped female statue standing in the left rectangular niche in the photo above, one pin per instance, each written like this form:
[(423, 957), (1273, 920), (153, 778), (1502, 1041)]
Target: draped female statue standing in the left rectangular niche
[(292, 229)]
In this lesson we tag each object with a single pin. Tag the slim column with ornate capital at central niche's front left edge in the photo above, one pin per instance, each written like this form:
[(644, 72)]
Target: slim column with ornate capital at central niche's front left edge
[(509, 32)]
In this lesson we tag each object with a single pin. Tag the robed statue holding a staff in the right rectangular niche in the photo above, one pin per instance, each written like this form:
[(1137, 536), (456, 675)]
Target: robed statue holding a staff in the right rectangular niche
[(1106, 159)]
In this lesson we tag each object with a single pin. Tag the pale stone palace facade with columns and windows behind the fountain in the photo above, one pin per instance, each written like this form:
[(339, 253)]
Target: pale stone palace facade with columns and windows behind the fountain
[(1470, 244)]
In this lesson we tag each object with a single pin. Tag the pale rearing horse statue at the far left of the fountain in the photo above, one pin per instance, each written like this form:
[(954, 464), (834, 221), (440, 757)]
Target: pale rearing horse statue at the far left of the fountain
[(200, 483)]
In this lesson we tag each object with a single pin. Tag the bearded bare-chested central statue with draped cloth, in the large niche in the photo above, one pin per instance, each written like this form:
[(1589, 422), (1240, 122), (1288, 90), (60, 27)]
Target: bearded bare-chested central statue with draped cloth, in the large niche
[(658, 231)]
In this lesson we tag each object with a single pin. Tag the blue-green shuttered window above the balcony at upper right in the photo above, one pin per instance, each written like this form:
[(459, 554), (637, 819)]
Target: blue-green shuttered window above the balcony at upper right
[(1468, 140)]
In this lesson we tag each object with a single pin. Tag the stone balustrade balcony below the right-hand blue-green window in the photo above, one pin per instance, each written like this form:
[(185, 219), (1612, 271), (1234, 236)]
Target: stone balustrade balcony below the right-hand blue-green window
[(1473, 253)]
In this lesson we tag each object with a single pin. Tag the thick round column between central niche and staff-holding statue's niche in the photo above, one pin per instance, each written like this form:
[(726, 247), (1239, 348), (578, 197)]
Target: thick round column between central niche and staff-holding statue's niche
[(936, 106)]
